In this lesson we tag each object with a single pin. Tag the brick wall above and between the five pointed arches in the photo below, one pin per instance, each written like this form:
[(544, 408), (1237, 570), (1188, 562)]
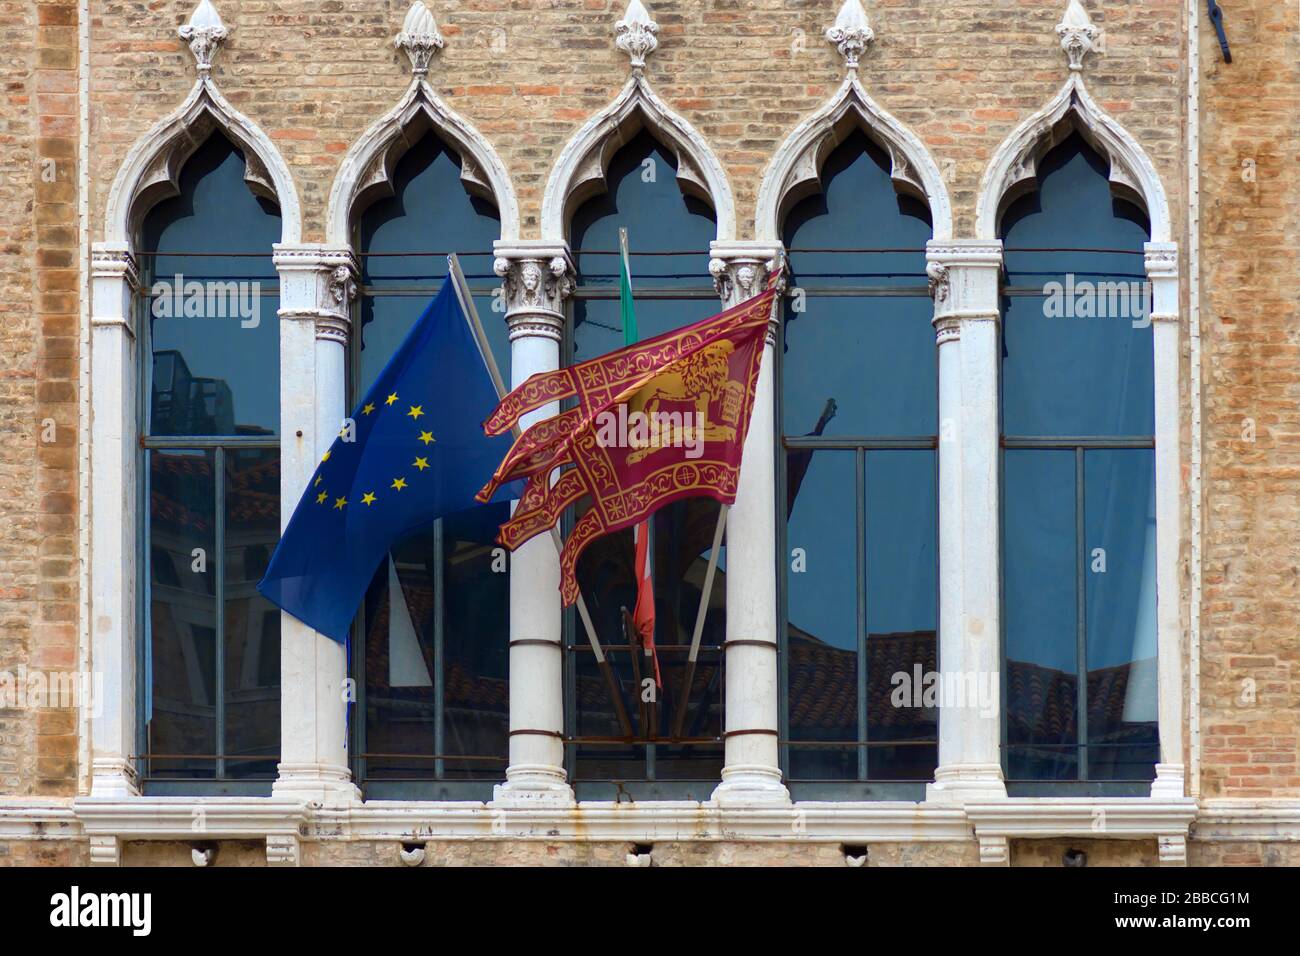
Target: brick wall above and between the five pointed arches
[(315, 76)]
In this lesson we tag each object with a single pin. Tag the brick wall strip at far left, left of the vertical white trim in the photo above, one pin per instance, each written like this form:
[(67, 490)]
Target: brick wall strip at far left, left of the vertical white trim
[(38, 386)]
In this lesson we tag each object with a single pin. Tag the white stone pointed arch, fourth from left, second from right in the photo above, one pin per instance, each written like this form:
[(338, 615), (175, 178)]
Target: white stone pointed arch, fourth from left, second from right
[(796, 170)]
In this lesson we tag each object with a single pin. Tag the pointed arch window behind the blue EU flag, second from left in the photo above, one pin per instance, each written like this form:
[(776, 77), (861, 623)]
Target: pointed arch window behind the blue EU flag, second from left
[(431, 643)]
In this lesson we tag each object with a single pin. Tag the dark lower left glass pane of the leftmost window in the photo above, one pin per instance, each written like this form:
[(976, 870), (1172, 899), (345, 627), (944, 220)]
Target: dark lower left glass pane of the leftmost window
[(183, 613)]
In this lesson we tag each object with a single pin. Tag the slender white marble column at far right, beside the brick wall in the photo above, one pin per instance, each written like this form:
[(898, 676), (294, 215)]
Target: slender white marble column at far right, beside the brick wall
[(1163, 272)]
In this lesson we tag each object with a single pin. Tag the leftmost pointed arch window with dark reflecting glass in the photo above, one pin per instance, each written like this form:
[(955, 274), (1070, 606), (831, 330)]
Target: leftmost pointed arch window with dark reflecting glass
[(210, 386)]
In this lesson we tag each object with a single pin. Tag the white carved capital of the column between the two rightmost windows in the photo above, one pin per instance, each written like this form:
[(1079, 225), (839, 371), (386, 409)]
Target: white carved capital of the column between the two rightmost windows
[(965, 278)]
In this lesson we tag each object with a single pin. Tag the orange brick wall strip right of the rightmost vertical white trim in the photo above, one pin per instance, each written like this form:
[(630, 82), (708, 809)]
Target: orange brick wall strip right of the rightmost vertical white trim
[(1251, 219)]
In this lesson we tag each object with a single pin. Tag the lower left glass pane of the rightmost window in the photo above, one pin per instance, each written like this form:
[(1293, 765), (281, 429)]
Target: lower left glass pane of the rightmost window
[(1041, 613)]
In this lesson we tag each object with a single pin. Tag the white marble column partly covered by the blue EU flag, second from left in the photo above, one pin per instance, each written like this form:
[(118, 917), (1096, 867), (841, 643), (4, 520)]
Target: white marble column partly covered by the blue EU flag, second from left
[(317, 287)]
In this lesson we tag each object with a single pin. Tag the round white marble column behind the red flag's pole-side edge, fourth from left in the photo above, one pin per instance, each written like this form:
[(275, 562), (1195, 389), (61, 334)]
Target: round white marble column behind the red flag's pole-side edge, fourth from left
[(752, 772)]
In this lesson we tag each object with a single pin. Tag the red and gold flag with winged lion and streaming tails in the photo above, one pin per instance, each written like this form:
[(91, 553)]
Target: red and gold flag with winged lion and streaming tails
[(655, 423)]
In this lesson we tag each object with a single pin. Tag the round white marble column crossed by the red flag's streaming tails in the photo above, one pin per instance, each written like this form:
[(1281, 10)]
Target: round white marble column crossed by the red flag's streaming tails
[(538, 278)]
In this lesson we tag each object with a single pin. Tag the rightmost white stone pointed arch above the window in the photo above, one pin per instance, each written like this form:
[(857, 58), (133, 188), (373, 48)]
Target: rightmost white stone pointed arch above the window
[(1013, 171)]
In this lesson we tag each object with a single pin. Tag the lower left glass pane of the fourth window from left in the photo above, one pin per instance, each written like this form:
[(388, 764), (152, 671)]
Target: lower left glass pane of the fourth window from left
[(822, 596)]
